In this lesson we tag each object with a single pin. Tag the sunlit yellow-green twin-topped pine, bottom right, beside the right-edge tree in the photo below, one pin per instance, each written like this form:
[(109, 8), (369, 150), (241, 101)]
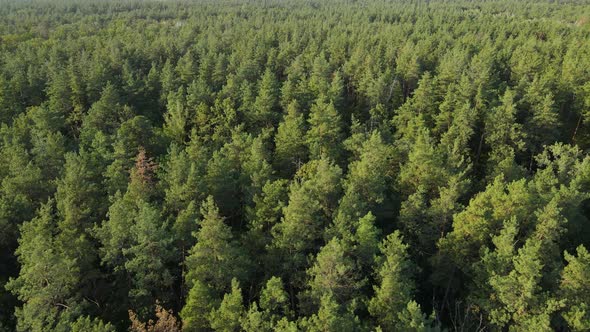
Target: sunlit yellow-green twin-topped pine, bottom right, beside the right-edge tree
[(516, 276)]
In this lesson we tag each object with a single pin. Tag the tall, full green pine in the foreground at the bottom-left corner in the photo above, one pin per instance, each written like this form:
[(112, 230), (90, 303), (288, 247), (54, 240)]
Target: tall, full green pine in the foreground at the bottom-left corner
[(48, 279)]
